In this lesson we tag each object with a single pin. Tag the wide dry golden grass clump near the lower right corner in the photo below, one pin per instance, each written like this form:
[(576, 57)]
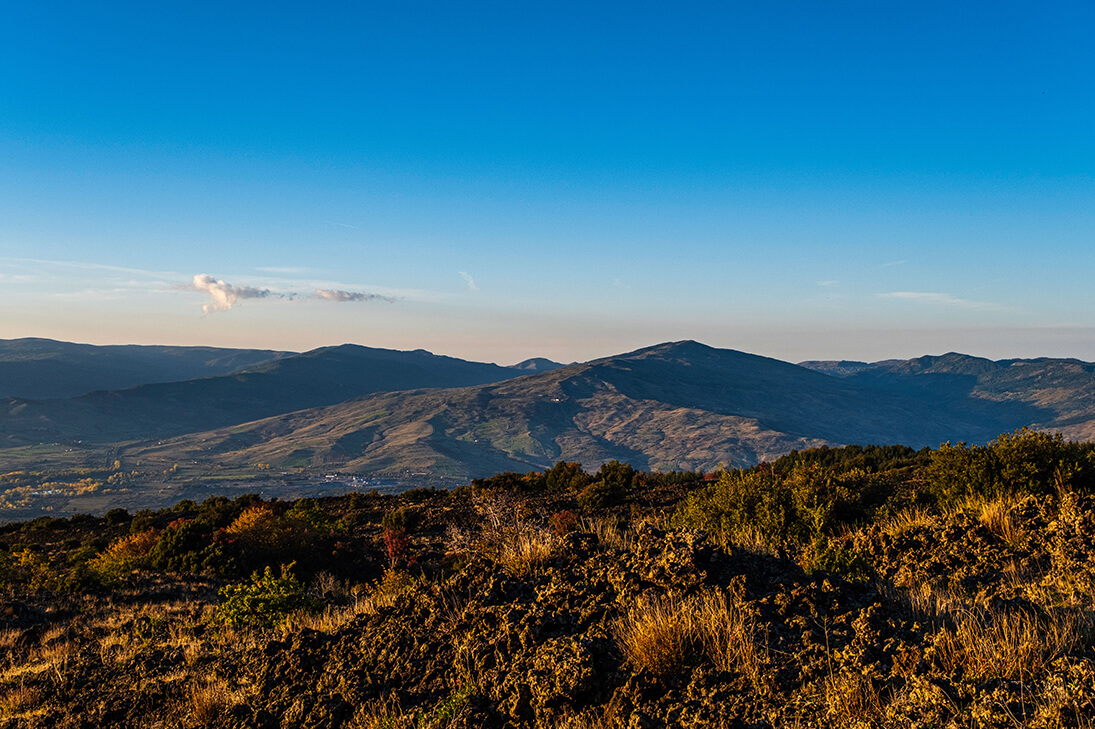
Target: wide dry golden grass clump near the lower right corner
[(1017, 645)]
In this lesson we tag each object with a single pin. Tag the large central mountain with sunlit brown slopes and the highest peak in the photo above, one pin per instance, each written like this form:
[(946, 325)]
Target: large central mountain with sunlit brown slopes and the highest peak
[(679, 406)]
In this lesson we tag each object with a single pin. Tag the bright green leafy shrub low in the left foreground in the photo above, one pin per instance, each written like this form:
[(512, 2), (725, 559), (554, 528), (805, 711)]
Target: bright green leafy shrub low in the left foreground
[(267, 601)]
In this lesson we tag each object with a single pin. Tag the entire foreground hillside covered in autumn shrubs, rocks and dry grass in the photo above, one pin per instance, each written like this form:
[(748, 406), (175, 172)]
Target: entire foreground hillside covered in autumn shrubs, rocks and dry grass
[(860, 587)]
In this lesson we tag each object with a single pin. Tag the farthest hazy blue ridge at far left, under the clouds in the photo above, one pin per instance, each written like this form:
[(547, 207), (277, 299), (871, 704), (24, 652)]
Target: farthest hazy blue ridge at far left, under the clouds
[(40, 369)]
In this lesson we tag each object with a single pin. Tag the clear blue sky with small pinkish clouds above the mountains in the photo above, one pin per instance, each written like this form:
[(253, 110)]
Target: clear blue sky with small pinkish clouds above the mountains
[(499, 181)]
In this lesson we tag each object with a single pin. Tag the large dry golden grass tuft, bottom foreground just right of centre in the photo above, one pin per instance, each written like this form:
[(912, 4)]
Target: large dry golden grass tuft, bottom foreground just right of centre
[(663, 634)]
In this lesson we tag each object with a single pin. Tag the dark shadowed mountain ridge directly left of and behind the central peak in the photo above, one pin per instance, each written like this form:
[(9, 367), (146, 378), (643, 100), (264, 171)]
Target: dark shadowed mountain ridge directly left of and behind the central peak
[(314, 379)]
